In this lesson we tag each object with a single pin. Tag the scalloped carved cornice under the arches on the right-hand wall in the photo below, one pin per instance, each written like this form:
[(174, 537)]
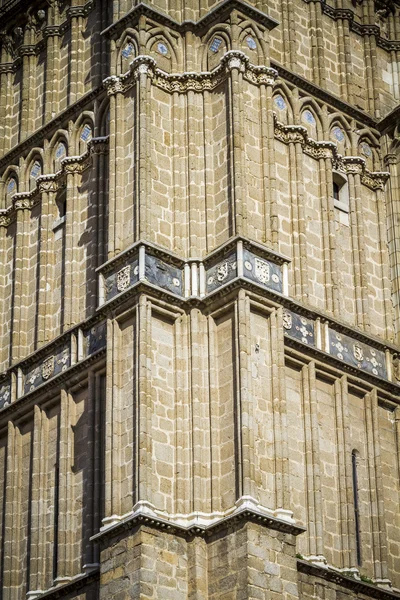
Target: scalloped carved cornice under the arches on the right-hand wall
[(322, 150)]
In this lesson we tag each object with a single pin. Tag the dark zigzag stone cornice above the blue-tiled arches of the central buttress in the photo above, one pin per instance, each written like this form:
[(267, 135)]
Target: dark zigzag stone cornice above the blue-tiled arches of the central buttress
[(217, 14)]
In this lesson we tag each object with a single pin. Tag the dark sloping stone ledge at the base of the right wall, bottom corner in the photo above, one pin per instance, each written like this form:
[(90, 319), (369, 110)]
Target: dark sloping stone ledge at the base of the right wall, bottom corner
[(350, 583)]
